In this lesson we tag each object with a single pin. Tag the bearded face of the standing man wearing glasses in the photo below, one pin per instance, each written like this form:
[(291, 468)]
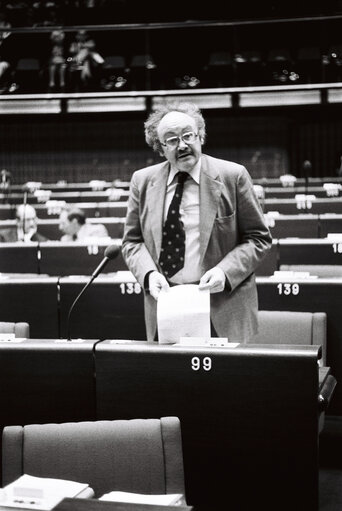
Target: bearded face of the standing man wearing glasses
[(181, 154)]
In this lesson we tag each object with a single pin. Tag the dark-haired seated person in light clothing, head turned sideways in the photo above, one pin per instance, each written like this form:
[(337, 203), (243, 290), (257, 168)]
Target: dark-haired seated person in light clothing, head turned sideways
[(75, 227)]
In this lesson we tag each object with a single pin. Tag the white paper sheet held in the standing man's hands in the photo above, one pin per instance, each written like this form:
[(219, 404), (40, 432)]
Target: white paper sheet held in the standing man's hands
[(183, 311)]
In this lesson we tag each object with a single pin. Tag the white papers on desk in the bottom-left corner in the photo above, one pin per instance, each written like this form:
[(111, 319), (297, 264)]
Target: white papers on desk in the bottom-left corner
[(41, 493)]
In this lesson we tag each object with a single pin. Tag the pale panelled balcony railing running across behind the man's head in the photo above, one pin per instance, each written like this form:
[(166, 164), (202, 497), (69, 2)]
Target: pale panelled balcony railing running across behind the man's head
[(219, 98)]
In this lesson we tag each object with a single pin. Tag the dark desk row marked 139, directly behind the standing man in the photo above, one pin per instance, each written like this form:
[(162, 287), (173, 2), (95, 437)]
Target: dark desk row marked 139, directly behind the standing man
[(112, 307)]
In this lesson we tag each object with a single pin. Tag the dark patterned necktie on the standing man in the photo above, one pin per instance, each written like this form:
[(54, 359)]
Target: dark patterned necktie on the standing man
[(173, 243)]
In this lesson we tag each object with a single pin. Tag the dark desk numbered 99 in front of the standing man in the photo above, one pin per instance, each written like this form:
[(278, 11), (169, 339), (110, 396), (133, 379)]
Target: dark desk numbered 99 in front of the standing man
[(248, 417)]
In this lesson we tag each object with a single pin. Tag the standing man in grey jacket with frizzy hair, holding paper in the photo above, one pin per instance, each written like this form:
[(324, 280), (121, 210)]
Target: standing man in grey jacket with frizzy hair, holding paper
[(225, 233)]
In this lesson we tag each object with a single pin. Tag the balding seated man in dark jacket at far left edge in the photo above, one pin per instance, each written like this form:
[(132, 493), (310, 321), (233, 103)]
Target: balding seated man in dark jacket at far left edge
[(26, 228)]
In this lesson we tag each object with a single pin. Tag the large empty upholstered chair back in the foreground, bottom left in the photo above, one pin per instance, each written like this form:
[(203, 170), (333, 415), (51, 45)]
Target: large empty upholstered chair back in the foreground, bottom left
[(137, 455)]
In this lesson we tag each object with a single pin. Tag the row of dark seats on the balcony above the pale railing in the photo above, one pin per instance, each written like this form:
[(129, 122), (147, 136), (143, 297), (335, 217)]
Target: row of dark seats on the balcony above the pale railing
[(221, 69)]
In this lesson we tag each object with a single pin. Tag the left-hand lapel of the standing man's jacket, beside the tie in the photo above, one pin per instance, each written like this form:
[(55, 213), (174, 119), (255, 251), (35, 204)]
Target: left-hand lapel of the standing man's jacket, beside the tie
[(155, 200)]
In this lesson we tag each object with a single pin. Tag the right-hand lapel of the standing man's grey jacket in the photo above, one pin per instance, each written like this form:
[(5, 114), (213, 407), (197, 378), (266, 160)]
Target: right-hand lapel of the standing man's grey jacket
[(210, 193)]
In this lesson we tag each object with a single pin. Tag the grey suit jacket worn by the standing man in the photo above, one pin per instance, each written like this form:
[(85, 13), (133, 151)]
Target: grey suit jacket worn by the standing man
[(233, 236)]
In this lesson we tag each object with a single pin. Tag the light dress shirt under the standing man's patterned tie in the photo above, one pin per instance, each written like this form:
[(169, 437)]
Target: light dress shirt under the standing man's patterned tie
[(189, 214)]
